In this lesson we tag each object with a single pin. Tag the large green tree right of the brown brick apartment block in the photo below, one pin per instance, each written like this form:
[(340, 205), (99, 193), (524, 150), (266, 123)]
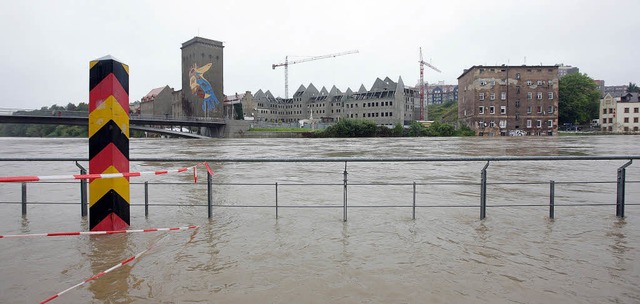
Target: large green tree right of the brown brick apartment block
[(579, 99)]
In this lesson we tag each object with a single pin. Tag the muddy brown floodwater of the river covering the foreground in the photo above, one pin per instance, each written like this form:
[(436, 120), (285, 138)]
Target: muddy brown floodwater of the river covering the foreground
[(243, 254)]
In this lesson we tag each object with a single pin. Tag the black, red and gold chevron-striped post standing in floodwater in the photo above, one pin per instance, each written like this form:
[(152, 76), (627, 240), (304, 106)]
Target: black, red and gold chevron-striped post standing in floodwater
[(108, 144)]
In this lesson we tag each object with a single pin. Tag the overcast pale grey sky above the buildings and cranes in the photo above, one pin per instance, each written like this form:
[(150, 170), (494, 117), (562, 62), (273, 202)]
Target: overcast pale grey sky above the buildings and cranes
[(47, 45)]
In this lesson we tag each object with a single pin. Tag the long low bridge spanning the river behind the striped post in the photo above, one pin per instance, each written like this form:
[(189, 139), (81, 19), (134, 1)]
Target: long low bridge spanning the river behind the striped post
[(212, 127)]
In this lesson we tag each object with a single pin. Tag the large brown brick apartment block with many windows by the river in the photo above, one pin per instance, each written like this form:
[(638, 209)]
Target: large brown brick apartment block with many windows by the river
[(509, 100)]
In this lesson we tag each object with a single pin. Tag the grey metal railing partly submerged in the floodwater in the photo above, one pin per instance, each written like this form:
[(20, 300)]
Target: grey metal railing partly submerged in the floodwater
[(345, 183)]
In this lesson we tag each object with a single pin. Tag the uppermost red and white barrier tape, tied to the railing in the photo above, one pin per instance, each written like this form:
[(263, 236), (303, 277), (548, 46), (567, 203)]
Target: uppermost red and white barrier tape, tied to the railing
[(17, 179)]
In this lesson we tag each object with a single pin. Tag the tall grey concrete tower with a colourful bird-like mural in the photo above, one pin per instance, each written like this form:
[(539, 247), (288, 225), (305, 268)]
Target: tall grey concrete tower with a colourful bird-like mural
[(199, 53)]
